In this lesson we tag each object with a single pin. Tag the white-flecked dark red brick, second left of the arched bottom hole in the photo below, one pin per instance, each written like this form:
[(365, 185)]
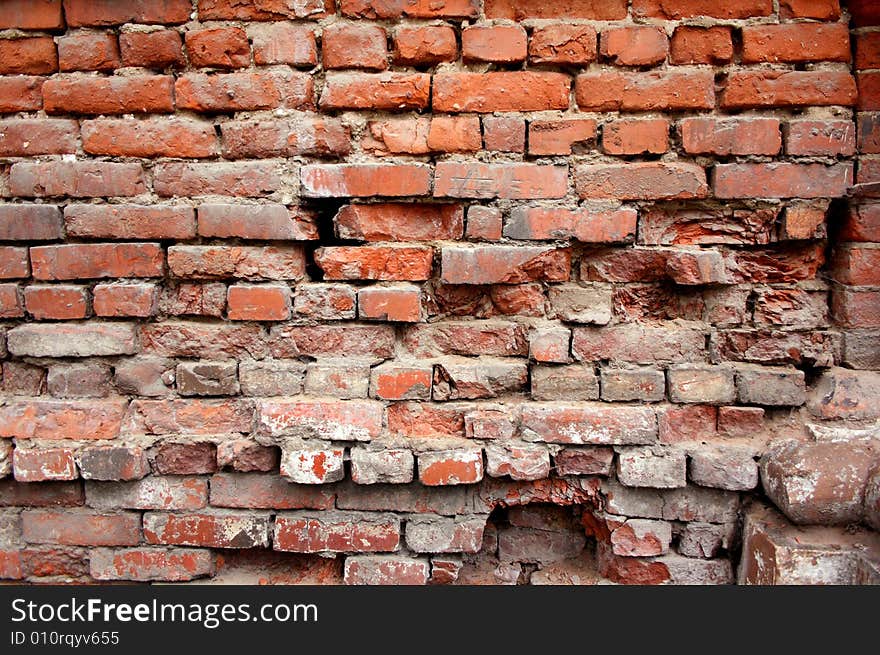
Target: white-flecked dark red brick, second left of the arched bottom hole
[(336, 532)]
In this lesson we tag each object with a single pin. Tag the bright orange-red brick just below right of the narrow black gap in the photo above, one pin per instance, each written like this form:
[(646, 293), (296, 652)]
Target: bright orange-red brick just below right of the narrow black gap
[(375, 262)]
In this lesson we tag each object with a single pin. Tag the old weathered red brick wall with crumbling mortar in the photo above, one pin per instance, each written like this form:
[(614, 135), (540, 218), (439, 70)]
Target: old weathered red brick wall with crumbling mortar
[(478, 291)]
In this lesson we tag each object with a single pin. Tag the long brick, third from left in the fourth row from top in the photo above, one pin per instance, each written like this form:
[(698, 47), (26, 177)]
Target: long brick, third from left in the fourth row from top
[(273, 138)]
